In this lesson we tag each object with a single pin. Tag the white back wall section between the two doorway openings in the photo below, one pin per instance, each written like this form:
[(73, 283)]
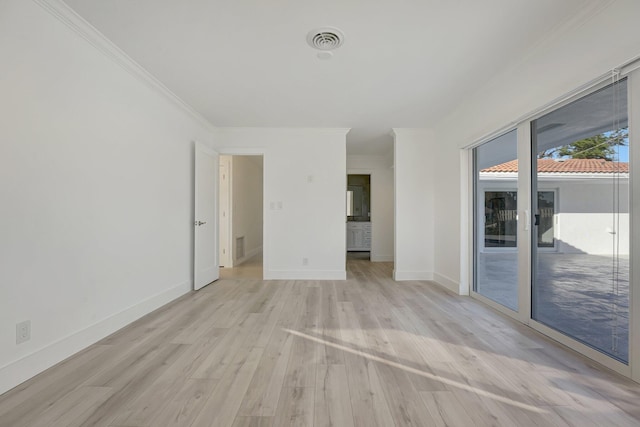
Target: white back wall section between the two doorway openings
[(304, 185)]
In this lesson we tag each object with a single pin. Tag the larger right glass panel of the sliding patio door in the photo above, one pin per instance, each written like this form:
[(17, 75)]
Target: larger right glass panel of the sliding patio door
[(582, 288)]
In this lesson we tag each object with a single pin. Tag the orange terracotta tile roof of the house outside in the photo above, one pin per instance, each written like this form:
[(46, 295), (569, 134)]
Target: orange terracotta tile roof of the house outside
[(566, 166)]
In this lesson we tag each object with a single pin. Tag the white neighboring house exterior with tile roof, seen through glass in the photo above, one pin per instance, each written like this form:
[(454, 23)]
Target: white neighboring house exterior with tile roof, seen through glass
[(583, 204)]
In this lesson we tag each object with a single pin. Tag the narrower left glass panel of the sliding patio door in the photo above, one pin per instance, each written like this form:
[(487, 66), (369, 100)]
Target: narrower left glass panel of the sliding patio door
[(495, 220)]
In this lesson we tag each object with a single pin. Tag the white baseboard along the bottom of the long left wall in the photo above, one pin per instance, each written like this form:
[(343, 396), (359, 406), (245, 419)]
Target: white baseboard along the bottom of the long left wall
[(27, 367)]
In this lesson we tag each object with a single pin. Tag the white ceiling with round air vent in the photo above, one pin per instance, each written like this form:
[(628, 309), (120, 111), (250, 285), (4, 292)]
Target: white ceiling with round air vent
[(404, 63)]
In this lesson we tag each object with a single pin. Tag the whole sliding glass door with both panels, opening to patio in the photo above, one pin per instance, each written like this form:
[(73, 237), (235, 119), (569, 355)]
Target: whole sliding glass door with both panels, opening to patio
[(551, 241)]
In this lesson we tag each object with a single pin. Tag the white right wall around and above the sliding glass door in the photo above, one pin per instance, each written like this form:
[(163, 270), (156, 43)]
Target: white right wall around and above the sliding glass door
[(565, 61)]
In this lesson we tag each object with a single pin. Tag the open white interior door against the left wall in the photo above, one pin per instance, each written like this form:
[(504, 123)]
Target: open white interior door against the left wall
[(206, 268)]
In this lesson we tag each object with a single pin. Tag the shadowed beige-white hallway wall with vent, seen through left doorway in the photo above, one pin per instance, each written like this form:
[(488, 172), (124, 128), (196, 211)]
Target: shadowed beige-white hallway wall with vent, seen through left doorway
[(247, 199)]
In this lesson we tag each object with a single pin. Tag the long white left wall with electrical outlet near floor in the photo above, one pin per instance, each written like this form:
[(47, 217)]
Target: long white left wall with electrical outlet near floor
[(96, 189)]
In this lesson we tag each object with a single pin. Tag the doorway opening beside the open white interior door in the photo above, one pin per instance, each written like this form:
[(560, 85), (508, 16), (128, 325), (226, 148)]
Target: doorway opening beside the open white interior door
[(241, 216)]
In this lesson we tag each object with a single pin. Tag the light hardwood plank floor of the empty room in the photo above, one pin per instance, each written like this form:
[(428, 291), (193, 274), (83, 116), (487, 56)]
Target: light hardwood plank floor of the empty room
[(362, 352)]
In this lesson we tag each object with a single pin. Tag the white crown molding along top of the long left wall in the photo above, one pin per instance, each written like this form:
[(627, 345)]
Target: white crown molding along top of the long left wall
[(69, 17)]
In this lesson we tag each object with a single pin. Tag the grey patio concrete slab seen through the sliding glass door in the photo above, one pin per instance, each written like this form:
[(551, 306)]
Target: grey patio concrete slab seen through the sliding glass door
[(583, 296)]
